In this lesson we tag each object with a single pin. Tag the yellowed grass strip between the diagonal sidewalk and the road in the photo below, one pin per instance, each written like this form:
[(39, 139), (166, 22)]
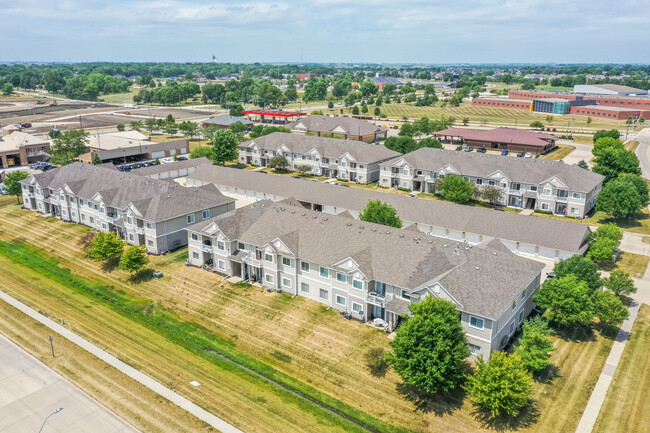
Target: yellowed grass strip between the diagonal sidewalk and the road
[(133, 402)]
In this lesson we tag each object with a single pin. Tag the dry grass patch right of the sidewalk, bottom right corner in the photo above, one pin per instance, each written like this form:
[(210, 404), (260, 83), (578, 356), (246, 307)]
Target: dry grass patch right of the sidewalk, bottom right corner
[(626, 405)]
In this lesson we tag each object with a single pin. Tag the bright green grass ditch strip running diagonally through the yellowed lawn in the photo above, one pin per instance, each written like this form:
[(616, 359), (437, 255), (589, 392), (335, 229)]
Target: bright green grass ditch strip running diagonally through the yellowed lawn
[(188, 335)]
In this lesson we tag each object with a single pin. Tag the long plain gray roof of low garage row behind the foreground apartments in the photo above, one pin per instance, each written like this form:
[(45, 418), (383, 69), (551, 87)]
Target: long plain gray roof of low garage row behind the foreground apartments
[(551, 233)]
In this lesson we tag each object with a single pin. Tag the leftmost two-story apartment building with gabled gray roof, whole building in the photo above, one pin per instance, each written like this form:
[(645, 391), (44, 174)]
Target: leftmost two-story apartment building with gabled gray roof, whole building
[(143, 211)]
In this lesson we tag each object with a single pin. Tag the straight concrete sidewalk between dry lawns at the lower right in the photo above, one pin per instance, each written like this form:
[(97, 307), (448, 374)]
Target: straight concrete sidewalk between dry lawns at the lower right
[(599, 392)]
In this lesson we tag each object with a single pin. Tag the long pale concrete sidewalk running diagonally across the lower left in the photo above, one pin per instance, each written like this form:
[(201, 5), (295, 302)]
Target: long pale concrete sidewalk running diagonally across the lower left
[(140, 377)]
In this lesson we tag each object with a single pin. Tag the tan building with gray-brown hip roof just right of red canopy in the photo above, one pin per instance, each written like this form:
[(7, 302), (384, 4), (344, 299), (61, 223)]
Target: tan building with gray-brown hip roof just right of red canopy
[(344, 127)]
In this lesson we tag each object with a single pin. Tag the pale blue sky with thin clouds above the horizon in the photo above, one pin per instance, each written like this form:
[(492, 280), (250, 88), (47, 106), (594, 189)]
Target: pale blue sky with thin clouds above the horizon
[(349, 31)]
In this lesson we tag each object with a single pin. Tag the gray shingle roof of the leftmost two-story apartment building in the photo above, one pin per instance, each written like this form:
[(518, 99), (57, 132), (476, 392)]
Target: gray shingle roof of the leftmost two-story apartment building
[(156, 200)]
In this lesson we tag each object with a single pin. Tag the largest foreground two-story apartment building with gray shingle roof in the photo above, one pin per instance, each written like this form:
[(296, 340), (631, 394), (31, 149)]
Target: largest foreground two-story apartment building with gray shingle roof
[(370, 271)]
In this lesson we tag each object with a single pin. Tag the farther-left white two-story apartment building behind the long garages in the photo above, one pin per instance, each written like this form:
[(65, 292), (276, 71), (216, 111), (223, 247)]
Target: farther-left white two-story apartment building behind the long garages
[(356, 161)]
